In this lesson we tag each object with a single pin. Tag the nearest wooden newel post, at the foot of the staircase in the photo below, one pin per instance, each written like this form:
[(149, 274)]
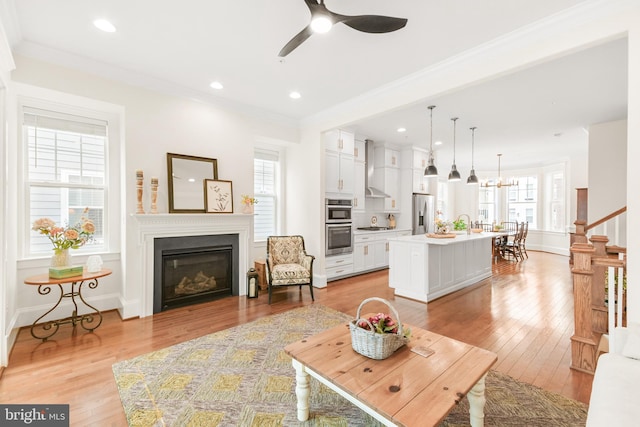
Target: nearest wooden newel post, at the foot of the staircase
[(584, 343)]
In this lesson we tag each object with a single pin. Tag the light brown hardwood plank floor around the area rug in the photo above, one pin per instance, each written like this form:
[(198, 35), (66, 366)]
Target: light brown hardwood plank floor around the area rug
[(524, 313)]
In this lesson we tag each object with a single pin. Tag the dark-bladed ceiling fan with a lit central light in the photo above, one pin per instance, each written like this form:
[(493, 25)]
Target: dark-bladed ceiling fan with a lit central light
[(322, 19)]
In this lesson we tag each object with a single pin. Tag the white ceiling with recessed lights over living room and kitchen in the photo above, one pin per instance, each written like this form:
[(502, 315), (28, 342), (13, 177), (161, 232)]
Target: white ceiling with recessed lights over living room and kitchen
[(183, 46)]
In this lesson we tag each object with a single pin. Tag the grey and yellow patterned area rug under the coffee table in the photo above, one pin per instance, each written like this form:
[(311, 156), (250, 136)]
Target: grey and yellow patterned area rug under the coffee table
[(241, 377)]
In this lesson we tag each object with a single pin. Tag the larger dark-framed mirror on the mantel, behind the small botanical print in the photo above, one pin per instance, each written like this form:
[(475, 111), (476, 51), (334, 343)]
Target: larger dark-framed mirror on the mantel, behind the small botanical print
[(185, 176)]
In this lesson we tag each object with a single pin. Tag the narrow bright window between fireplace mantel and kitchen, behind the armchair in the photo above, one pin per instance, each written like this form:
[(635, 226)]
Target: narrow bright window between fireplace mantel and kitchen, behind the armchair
[(266, 172)]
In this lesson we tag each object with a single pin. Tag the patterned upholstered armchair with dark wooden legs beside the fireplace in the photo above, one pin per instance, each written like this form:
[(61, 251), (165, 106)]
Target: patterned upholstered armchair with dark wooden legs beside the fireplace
[(288, 263)]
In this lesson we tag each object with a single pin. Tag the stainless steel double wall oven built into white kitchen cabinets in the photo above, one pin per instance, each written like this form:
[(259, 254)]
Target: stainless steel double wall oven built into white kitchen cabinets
[(338, 227)]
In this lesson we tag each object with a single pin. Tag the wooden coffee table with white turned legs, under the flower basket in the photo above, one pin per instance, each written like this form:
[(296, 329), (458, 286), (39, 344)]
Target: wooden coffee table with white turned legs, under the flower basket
[(406, 389)]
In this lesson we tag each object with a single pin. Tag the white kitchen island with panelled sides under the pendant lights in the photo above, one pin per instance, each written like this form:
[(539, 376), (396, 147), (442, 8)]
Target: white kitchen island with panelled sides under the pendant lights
[(424, 268)]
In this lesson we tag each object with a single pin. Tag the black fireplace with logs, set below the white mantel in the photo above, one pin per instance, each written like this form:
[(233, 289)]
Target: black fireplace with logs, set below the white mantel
[(194, 269)]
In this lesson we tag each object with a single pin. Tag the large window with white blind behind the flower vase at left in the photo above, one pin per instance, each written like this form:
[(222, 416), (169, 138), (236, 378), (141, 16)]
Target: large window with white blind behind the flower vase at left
[(65, 164)]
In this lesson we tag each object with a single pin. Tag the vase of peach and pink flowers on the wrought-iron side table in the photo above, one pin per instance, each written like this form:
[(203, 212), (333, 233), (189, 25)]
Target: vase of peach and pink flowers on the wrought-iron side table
[(65, 238)]
